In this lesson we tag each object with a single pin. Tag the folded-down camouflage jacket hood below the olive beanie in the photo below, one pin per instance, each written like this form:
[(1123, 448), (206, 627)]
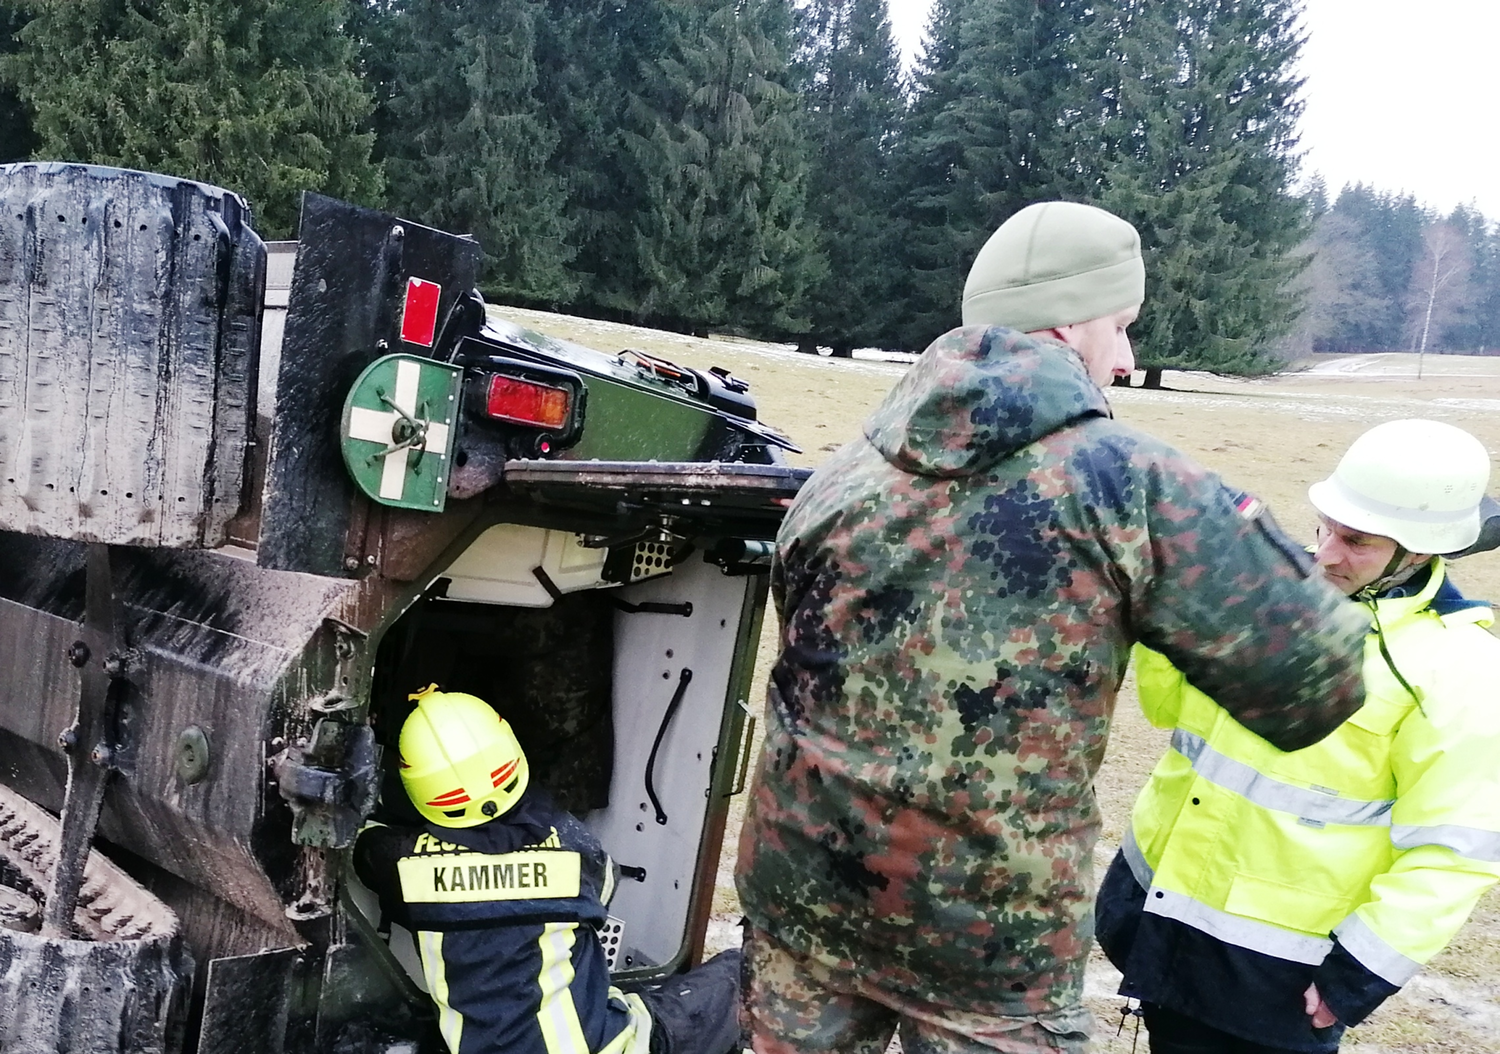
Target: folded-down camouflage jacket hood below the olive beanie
[(977, 397)]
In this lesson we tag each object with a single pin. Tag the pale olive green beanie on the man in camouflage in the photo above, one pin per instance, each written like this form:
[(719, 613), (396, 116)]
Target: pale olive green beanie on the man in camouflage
[(1055, 263)]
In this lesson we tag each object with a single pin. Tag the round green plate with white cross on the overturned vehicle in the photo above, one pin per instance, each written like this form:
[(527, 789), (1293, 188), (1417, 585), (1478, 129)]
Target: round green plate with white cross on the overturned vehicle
[(398, 431)]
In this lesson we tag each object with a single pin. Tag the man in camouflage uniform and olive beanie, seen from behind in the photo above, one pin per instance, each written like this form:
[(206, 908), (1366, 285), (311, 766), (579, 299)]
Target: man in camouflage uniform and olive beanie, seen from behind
[(959, 591)]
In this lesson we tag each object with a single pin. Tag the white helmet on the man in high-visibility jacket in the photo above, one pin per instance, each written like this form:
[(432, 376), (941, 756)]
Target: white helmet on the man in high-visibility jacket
[(1417, 482)]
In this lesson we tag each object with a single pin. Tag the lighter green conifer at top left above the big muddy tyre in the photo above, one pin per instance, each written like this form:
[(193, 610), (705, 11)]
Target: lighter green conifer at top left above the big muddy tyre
[(260, 97)]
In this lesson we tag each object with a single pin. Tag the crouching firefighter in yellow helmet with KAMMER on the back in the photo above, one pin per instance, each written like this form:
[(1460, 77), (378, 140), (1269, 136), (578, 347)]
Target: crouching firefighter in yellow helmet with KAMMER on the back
[(506, 893)]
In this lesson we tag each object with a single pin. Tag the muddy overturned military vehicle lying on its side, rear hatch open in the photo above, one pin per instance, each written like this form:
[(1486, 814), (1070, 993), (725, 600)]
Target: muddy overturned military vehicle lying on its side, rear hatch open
[(250, 502)]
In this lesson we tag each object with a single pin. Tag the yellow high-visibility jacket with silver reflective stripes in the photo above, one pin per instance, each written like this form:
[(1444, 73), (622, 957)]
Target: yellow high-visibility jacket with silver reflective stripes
[(1382, 836)]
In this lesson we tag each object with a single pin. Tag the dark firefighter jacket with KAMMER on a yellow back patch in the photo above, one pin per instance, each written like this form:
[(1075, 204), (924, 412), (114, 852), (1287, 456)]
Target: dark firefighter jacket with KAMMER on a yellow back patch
[(505, 918)]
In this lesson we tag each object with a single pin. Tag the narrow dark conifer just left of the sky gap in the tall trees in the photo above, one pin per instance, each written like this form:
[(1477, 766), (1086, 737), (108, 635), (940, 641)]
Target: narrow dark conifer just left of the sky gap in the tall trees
[(853, 98)]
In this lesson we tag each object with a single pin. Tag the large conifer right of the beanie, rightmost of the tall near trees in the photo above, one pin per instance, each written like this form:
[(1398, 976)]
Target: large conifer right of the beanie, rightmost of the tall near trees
[(1199, 134)]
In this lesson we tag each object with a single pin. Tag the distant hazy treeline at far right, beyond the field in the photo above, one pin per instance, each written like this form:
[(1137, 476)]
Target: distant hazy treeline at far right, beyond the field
[(1390, 275)]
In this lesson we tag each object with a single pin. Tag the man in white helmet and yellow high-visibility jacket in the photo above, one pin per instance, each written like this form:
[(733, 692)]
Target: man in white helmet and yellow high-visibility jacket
[(1267, 900)]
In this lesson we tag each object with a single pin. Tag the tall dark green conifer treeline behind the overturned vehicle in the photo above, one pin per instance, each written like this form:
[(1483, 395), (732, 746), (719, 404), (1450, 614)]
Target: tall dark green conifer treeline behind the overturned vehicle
[(748, 166)]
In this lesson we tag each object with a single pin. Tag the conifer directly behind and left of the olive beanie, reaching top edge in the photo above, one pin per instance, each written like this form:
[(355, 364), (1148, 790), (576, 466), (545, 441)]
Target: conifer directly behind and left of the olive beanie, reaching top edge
[(992, 130)]
